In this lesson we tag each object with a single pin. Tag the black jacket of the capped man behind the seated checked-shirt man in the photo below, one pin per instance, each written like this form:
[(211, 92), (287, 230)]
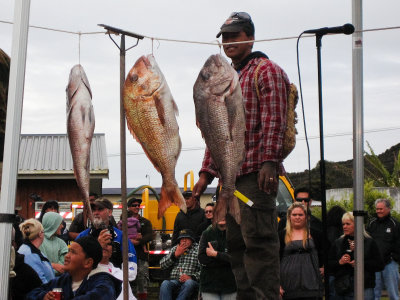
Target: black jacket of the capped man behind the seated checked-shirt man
[(191, 220)]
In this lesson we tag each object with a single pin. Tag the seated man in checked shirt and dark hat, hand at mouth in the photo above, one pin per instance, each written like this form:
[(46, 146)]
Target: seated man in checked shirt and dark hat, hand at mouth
[(185, 272)]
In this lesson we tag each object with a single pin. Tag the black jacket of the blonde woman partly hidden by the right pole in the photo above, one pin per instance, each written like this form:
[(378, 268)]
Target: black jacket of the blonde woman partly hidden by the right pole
[(372, 260)]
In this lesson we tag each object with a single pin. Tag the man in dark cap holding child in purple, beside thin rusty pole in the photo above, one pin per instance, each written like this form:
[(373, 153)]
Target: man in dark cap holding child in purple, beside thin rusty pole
[(140, 242)]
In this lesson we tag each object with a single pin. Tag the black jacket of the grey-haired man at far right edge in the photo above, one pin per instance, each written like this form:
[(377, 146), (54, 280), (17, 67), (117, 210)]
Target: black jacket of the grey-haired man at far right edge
[(386, 233)]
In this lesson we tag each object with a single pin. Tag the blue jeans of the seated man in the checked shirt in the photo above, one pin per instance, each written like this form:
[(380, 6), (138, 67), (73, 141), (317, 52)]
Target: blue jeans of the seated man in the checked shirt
[(184, 290)]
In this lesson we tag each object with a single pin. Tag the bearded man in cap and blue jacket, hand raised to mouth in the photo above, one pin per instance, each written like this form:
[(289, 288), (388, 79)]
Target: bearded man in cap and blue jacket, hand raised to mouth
[(108, 234)]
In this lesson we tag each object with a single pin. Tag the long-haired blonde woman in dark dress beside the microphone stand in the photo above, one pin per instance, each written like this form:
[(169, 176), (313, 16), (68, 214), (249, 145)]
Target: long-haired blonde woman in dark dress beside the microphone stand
[(299, 251)]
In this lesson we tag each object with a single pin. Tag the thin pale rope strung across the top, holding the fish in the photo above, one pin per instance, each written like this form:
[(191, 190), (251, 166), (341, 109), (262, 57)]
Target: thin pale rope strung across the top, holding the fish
[(217, 43)]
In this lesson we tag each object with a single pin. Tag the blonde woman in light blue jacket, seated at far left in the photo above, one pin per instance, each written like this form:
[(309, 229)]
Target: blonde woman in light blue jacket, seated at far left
[(33, 234)]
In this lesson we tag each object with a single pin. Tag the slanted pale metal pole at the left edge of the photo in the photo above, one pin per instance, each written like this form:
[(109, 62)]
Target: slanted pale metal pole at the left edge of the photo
[(12, 134)]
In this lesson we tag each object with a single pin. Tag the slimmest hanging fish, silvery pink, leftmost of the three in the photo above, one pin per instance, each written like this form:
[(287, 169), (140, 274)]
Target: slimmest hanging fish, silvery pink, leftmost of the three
[(80, 128)]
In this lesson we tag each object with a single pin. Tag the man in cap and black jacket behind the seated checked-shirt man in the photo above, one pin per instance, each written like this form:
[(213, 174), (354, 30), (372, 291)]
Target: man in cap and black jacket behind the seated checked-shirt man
[(192, 219)]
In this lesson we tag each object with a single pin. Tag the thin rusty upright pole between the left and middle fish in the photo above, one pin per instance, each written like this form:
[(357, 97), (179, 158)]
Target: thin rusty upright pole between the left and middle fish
[(125, 284)]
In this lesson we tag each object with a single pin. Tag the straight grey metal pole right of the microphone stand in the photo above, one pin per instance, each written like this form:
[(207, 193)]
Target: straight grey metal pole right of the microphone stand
[(358, 148)]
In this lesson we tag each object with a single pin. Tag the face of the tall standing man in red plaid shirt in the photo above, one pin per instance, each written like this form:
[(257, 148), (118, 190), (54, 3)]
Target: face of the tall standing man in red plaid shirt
[(237, 51)]
